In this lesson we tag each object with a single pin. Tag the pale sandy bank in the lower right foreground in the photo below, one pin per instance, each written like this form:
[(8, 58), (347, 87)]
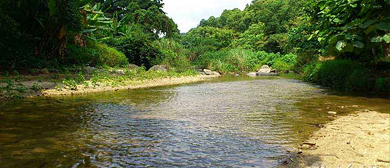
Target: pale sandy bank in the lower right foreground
[(357, 140)]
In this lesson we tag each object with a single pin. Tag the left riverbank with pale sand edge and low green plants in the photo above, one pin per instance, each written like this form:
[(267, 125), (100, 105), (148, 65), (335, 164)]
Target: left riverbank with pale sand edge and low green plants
[(51, 85)]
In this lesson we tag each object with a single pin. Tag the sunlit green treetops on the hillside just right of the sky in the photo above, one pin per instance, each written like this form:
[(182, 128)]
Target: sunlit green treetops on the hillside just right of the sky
[(264, 24)]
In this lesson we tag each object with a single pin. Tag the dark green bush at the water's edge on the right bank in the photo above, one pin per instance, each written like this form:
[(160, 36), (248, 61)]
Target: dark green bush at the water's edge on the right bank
[(339, 74)]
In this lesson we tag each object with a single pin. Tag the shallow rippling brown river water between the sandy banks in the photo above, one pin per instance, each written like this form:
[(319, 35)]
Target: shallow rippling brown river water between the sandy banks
[(227, 122)]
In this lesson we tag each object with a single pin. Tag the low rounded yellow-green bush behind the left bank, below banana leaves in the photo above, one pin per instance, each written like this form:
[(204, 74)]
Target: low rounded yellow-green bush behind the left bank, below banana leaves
[(95, 55)]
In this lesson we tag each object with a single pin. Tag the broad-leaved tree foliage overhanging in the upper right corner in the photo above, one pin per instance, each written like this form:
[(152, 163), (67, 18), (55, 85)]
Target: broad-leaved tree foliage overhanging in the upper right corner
[(353, 28)]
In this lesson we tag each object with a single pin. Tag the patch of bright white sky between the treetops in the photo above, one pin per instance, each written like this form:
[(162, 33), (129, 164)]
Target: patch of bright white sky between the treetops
[(188, 13)]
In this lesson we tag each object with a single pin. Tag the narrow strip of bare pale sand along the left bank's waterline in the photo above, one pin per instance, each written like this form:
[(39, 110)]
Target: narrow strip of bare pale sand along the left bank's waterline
[(51, 89)]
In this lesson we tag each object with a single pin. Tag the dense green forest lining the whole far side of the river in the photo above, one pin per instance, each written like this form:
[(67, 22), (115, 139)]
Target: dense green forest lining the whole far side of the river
[(340, 44)]
